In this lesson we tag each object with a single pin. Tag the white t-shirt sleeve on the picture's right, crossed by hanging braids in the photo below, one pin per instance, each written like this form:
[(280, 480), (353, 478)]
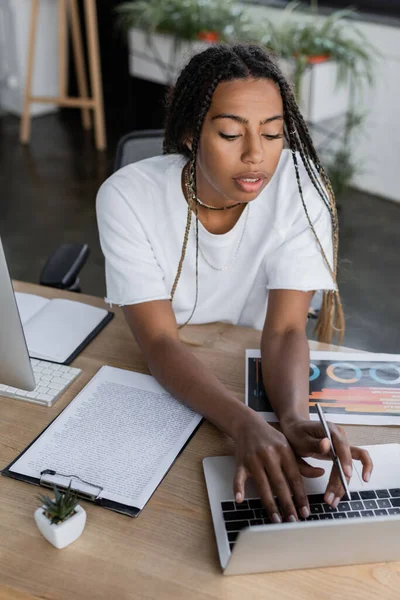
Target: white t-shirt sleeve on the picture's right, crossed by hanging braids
[(298, 263)]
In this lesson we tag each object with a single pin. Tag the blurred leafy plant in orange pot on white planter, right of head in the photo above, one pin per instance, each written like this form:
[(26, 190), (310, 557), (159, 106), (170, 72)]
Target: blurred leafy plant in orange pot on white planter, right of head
[(323, 56)]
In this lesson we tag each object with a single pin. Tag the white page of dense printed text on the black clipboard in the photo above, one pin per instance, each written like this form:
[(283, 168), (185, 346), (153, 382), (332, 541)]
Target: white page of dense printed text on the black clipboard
[(122, 433)]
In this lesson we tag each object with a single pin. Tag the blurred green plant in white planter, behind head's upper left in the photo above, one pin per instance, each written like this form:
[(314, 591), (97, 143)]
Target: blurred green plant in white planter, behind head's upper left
[(162, 35)]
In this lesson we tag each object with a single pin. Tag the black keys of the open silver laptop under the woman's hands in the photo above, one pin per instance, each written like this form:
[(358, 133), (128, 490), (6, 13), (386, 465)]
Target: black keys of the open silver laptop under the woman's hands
[(368, 503)]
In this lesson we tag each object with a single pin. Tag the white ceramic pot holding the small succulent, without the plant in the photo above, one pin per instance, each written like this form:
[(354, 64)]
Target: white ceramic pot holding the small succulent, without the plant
[(62, 534)]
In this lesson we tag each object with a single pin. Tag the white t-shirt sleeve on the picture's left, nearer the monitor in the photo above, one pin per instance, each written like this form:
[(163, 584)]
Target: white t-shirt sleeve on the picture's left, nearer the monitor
[(133, 274)]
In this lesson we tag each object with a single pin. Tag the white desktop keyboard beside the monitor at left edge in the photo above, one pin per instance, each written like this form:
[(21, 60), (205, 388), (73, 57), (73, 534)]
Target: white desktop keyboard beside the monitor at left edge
[(51, 381)]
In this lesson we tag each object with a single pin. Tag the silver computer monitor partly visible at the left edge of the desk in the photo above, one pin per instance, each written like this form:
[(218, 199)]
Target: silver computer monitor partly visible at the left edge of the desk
[(15, 365)]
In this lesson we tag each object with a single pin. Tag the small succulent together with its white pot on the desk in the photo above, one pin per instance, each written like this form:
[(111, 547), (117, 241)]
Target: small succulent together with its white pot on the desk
[(61, 520)]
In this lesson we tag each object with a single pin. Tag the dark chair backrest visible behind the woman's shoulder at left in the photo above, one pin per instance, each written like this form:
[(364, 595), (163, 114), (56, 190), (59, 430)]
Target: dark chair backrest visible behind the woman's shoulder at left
[(137, 146)]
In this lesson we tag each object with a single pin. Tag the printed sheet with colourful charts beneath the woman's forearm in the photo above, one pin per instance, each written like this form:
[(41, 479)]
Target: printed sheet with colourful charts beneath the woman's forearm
[(353, 388)]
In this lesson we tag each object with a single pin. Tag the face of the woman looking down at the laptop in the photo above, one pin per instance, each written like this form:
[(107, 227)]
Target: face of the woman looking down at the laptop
[(241, 141)]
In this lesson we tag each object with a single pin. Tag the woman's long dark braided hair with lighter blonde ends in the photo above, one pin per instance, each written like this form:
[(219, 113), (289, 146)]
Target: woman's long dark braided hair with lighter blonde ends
[(187, 104)]
